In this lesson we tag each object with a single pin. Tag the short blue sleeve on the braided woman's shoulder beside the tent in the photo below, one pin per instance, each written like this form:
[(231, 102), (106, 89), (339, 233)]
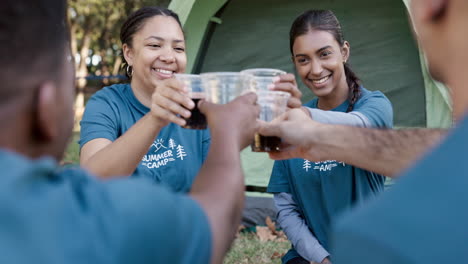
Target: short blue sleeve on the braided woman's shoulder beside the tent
[(377, 108)]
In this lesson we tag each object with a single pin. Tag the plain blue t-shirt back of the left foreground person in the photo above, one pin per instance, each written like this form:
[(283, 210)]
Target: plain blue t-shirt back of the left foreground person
[(66, 216)]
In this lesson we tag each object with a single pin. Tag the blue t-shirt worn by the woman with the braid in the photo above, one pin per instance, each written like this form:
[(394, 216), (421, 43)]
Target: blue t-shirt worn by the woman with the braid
[(322, 190)]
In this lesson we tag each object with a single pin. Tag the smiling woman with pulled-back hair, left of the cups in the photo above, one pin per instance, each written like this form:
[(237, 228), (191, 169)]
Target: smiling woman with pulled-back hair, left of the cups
[(135, 129)]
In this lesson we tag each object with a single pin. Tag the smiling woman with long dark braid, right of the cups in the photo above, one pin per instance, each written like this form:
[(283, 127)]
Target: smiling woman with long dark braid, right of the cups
[(309, 195)]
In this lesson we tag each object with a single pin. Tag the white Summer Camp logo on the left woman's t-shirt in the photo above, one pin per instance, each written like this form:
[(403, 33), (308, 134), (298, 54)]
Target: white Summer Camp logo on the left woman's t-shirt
[(160, 154)]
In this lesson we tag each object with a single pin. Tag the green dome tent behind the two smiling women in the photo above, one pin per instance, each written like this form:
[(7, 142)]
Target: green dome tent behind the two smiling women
[(238, 34)]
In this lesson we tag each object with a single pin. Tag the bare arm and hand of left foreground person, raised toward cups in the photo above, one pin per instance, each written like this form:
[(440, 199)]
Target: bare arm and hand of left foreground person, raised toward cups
[(219, 187)]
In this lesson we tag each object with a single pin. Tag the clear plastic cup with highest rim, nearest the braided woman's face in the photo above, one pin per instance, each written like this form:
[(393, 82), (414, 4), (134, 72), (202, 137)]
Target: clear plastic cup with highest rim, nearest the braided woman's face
[(261, 78)]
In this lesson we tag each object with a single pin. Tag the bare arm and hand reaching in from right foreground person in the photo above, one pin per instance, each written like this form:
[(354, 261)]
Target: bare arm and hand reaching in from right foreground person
[(383, 151)]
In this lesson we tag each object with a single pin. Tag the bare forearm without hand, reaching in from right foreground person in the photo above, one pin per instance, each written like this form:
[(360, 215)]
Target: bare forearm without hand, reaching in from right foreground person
[(386, 152)]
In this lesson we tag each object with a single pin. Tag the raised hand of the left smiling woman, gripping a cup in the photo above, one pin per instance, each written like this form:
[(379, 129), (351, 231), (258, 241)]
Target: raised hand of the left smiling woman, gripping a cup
[(170, 102)]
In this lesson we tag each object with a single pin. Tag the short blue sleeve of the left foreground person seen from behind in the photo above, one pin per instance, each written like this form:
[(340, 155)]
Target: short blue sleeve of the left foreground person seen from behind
[(157, 226)]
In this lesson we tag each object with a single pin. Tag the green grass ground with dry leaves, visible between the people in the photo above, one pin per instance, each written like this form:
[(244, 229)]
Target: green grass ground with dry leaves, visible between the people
[(247, 247)]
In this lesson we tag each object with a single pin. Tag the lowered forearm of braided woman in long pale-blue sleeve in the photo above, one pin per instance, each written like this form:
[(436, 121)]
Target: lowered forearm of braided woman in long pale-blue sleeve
[(296, 229)]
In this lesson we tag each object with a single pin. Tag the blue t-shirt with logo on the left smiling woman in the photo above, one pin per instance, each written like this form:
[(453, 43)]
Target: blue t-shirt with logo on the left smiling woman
[(176, 155)]
